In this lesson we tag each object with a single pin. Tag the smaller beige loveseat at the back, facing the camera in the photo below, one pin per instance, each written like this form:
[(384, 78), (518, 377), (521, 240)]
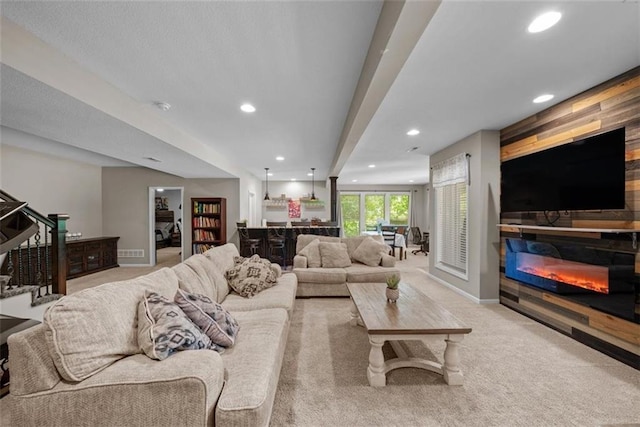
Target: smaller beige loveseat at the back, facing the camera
[(316, 279)]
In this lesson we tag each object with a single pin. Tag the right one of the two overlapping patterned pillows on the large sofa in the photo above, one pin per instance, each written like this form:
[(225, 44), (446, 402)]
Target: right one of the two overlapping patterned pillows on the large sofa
[(216, 322)]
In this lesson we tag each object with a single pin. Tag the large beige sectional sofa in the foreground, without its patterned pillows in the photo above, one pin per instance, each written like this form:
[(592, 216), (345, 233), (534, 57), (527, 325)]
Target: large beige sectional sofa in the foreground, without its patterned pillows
[(92, 335)]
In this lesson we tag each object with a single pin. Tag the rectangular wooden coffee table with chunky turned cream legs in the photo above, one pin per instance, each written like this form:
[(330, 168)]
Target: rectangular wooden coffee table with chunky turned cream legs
[(413, 317)]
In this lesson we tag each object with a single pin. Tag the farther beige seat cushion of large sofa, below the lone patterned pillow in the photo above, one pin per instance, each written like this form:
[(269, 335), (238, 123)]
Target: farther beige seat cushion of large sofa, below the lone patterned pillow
[(282, 295)]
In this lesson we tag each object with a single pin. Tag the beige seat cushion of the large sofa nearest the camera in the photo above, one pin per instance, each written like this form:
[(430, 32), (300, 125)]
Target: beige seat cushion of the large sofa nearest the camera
[(253, 365)]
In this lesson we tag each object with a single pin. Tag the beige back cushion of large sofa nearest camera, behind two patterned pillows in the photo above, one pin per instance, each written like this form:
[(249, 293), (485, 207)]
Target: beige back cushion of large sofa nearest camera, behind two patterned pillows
[(77, 346)]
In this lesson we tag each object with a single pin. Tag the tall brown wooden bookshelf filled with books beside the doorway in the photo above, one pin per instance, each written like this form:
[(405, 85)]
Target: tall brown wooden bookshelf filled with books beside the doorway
[(208, 223)]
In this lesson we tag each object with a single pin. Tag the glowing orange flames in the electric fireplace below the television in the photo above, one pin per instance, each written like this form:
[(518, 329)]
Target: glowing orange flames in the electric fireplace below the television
[(587, 276)]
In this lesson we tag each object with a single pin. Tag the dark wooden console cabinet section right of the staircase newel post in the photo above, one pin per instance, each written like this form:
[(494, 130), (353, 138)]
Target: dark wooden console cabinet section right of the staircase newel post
[(86, 256)]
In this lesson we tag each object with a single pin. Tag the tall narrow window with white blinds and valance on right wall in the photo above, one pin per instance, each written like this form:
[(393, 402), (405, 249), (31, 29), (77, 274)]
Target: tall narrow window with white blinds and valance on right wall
[(450, 185)]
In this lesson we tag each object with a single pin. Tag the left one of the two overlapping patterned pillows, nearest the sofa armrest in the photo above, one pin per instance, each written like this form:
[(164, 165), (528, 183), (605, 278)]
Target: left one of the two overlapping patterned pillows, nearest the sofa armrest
[(163, 328)]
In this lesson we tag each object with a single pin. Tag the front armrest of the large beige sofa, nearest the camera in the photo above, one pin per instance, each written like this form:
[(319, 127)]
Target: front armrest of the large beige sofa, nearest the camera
[(135, 391)]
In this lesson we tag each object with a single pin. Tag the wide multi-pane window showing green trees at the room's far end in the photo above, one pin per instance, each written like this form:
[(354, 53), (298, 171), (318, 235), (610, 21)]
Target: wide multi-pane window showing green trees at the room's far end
[(362, 211)]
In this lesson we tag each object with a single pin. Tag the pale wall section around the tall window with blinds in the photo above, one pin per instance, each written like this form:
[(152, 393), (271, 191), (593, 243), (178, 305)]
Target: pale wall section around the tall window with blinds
[(483, 237)]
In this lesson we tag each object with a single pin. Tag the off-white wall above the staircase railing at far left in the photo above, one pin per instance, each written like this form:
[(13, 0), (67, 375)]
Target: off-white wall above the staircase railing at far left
[(54, 185)]
